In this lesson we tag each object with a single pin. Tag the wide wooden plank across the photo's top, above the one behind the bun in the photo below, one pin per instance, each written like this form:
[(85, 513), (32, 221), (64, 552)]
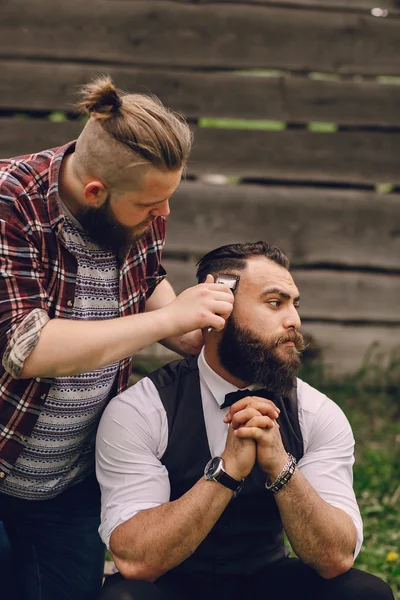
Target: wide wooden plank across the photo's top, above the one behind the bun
[(168, 33)]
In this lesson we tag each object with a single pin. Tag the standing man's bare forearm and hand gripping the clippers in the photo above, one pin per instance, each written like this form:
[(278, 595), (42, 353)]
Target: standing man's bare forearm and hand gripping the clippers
[(67, 347)]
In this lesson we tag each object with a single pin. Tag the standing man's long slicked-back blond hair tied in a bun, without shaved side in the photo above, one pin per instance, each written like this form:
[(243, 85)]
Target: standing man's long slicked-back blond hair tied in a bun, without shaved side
[(156, 134)]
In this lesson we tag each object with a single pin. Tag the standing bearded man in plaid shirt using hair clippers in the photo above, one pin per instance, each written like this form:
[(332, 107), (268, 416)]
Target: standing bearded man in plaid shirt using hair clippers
[(82, 228)]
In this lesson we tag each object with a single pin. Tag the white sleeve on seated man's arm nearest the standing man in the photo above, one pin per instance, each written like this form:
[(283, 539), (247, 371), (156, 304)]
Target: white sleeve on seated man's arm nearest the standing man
[(131, 439)]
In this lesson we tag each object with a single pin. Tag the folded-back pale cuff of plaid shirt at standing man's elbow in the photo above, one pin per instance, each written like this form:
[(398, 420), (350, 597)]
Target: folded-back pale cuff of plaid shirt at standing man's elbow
[(23, 341)]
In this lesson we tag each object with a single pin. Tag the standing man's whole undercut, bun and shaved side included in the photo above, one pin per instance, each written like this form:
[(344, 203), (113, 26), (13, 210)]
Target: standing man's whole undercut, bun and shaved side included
[(128, 130)]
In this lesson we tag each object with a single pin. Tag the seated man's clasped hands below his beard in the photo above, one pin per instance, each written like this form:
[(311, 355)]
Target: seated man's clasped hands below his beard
[(254, 436)]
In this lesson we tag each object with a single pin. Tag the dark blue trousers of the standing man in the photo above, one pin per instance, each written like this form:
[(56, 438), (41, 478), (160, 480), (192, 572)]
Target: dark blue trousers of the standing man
[(56, 551)]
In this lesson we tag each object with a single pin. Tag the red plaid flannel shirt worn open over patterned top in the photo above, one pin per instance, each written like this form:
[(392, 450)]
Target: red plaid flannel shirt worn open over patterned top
[(38, 277)]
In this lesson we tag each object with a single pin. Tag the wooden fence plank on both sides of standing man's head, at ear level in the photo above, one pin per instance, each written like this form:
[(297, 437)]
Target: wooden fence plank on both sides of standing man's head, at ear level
[(351, 156)]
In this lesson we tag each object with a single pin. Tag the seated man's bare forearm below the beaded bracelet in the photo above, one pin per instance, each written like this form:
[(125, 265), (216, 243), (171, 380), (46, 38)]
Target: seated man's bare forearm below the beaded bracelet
[(322, 536)]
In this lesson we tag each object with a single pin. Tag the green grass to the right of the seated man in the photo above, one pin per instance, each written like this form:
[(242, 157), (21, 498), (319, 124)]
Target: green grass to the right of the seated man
[(371, 401)]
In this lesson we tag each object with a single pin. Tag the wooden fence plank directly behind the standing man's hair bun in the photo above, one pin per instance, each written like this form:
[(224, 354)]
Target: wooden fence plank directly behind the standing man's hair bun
[(52, 86)]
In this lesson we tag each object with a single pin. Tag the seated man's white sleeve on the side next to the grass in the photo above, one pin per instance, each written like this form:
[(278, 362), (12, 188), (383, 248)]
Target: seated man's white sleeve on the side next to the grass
[(329, 456)]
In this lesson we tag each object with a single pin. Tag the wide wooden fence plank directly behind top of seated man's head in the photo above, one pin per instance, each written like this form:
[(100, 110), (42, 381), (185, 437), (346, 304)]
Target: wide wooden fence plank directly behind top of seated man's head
[(314, 227)]
